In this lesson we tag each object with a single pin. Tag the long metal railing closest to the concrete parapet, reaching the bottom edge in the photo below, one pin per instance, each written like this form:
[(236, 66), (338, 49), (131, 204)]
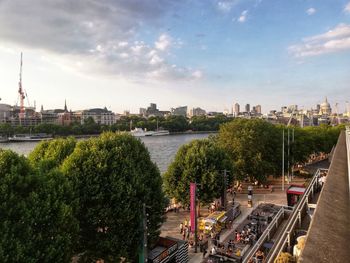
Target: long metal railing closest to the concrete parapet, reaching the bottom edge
[(285, 237)]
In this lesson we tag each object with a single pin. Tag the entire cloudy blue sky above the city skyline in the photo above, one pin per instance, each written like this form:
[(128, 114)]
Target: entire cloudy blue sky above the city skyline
[(126, 54)]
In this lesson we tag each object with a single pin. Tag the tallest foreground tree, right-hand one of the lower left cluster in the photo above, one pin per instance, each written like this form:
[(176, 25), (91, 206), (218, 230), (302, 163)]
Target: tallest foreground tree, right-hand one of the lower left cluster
[(113, 177)]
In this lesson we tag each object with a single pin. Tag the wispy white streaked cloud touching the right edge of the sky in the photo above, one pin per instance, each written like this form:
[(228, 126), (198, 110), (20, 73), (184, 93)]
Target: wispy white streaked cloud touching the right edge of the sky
[(335, 40)]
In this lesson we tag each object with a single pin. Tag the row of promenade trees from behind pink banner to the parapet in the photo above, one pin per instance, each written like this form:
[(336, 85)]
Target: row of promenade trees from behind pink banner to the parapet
[(253, 150)]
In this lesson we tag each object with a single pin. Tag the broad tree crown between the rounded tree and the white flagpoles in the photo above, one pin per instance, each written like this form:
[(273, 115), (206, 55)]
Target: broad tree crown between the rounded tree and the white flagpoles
[(254, 147)]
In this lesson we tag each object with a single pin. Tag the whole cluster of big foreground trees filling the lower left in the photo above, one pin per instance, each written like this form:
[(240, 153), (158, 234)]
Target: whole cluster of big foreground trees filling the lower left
[(82, 199)]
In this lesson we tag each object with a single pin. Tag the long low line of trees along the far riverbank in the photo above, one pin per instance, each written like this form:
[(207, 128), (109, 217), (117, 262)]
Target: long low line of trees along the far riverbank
[(125, 123)]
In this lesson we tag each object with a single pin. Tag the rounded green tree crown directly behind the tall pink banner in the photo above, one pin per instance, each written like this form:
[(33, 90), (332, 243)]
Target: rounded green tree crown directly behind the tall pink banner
[(200, 161)]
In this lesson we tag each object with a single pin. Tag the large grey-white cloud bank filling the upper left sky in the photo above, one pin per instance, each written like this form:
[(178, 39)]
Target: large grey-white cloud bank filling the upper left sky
[(101, 34)]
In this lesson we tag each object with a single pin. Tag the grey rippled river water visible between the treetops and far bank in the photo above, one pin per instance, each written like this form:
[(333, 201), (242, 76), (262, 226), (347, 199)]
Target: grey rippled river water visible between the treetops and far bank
[(162, 148)]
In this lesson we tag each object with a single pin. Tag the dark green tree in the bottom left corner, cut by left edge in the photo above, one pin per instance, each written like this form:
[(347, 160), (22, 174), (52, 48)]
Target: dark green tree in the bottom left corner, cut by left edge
[(36, 216)]
